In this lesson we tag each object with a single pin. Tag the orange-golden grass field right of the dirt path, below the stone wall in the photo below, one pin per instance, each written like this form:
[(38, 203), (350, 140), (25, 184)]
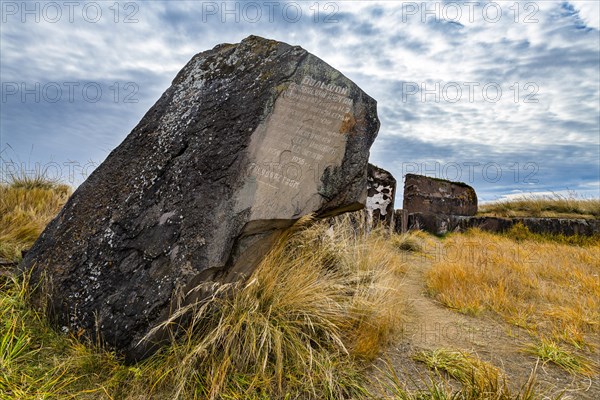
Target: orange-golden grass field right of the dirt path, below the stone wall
[(550, 289)]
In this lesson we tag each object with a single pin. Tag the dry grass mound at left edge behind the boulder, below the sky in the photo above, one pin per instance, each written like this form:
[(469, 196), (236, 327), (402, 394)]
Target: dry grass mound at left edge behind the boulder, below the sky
[(26, 207)]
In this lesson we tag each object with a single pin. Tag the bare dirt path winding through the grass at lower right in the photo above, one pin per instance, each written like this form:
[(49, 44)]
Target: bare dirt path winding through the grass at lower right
[(429, 325)]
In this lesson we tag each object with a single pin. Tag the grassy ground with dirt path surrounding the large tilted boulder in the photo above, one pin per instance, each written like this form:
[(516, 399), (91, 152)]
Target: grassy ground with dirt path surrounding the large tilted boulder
[(323, 317)]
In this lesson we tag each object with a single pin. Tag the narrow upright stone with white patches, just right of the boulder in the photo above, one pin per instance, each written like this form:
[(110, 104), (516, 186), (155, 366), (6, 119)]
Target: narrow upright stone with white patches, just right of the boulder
[(381, 191)]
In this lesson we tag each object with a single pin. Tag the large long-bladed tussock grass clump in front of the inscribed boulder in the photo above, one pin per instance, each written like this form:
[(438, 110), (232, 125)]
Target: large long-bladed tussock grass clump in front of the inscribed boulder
[(321, 302)]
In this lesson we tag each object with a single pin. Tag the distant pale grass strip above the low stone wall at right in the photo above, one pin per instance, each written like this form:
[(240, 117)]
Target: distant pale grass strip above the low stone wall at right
[(544, 206)]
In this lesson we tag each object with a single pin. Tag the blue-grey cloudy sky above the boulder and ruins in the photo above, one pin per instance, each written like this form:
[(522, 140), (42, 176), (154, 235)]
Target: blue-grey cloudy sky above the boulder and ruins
[(503, 95)]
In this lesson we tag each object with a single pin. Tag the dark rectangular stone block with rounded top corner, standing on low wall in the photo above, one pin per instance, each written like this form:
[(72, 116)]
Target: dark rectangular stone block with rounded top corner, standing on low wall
[(423, 194)]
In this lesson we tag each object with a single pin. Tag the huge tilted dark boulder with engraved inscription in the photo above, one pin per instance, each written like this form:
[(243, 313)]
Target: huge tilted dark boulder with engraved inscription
[(249, 138)]
